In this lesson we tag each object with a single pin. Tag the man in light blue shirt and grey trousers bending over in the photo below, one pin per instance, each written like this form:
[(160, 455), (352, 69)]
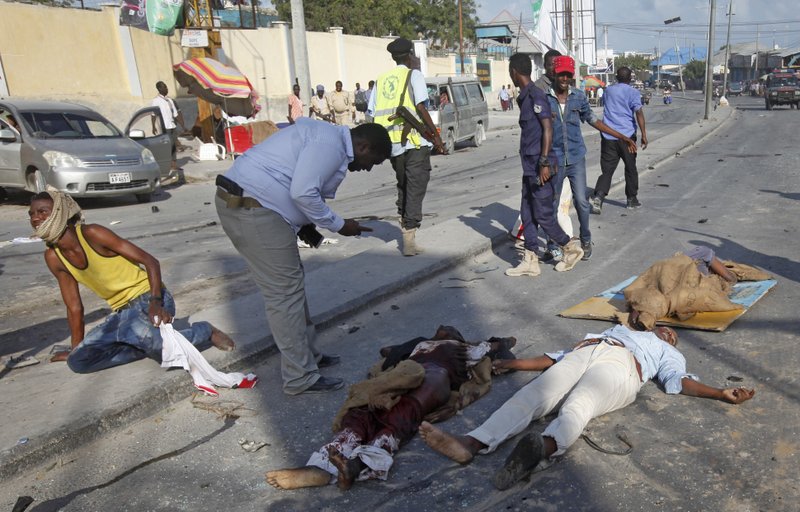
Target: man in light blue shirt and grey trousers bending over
[(276, 192)]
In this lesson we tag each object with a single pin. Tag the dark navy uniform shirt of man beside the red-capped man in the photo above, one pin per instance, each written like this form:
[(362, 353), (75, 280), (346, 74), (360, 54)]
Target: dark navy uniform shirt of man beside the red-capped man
[(533, 107)]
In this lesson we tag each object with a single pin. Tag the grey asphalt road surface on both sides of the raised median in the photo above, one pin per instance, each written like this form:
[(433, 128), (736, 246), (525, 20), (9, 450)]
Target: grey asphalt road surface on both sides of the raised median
[(737, 192)]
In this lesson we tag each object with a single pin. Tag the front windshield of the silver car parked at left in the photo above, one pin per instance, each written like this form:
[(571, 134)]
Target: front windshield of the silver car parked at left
[(68, 125)]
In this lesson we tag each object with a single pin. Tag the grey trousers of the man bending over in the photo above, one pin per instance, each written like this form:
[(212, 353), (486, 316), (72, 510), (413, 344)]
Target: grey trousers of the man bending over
[(269, 246)]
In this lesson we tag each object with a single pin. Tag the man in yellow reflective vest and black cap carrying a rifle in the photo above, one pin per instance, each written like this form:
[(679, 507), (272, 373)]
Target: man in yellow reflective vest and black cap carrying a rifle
[(404, 86)]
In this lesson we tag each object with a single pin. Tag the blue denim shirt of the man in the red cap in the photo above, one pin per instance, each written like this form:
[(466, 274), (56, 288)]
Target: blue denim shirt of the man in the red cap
[(568, 145)]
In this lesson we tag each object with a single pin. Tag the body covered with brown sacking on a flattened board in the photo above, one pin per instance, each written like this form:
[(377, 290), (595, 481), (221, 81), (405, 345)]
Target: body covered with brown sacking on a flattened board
[(686, 284)]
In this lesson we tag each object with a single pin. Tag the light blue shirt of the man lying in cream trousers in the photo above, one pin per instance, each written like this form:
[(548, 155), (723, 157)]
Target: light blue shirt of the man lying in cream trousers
[(658, 359)]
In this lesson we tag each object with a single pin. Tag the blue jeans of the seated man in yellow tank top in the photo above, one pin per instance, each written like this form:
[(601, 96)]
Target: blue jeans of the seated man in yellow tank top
[(128, 335)]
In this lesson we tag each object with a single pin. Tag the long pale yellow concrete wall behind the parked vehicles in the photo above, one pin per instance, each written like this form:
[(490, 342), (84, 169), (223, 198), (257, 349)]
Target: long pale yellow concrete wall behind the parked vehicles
[(85, 56)]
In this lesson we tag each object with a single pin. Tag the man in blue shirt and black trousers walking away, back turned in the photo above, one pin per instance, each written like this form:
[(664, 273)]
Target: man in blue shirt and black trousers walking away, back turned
[(622, 111)]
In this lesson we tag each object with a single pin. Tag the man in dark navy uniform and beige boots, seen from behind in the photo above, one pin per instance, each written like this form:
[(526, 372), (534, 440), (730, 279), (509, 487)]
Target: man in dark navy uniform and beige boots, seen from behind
[(538, 169)]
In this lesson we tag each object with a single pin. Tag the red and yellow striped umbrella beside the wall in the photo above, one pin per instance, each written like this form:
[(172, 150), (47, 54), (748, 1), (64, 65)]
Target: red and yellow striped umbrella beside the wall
[(218, 84)]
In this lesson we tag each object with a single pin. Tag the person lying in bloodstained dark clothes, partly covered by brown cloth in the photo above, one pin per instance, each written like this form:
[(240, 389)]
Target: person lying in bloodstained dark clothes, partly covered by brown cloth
[(423, 379)]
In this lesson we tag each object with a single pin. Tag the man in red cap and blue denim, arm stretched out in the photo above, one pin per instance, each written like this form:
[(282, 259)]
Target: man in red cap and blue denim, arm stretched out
[(570, 108)]
